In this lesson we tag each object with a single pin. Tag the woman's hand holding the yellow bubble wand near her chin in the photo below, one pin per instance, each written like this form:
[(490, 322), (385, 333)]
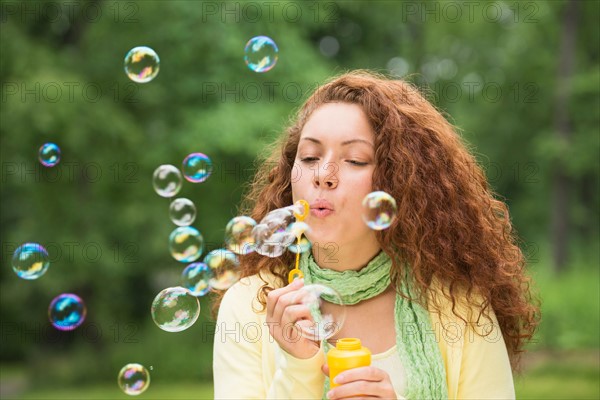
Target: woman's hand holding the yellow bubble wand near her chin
[(284, 309)]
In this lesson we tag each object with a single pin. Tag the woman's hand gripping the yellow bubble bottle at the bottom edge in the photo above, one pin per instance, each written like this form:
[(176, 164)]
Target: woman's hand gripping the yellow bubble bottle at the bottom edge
[(362, 382)]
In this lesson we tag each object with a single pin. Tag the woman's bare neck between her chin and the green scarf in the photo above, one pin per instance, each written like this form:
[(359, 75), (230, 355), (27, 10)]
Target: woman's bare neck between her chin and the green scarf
[(344, 258)]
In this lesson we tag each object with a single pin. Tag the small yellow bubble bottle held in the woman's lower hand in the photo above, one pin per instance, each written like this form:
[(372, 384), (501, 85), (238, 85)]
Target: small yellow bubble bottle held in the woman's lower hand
[(347, 354)]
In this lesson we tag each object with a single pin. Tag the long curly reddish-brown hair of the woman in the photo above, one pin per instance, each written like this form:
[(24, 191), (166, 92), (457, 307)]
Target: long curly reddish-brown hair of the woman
[(449, 227)]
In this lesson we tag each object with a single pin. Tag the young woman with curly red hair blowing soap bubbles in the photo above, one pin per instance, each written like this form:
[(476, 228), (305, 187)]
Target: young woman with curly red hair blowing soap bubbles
[(440, 297)]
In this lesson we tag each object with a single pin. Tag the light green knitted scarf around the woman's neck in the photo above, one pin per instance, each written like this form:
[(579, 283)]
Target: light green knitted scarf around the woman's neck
[(419, 352)]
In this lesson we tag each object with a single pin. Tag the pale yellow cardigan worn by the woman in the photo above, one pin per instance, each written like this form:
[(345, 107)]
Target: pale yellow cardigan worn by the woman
[(249, 364)]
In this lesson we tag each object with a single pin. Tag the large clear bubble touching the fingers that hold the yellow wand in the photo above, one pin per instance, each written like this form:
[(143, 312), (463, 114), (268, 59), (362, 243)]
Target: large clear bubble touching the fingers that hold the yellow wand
[(327, 310)]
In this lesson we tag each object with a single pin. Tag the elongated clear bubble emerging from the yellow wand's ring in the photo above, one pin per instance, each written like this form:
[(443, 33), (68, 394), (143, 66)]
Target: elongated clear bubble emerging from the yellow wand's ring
[(271, 235)]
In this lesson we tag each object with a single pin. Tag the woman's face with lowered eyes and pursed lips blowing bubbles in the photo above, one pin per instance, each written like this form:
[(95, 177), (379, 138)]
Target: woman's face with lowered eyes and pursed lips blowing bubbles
[(333, 171)]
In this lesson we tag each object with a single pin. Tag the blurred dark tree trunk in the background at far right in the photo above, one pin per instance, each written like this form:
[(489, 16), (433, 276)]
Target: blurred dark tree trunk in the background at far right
[(561, 182)]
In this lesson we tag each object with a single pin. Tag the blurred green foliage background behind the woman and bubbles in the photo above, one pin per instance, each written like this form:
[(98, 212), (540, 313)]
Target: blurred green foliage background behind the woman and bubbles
[(495, 75)]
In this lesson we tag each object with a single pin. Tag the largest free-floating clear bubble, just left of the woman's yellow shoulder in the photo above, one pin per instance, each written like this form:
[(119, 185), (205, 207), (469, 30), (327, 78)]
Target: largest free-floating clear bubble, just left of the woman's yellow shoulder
[(175, 309)]
